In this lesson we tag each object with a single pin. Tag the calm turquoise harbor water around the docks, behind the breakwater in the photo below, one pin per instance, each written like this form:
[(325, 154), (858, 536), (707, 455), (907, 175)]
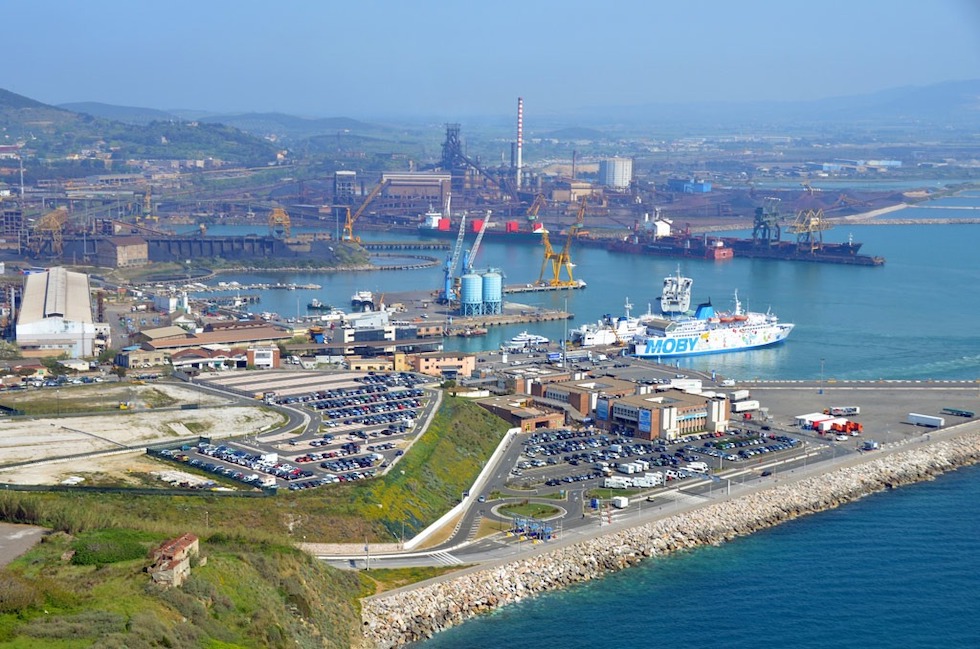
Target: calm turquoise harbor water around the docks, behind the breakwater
[(911, 318)]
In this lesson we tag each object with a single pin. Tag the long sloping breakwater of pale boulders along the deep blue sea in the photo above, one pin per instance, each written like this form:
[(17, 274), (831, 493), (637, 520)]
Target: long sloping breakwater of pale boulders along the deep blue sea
[(403, 617)]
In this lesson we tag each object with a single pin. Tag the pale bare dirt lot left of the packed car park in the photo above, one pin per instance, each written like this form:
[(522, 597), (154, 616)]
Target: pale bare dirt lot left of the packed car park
[(41, 441)]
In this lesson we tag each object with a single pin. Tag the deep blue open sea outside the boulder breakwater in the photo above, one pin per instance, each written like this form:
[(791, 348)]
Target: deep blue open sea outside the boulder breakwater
[(894, 569)]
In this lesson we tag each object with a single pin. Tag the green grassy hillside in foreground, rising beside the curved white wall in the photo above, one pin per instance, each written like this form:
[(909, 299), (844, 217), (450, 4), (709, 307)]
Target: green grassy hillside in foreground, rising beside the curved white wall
[(255, 590)]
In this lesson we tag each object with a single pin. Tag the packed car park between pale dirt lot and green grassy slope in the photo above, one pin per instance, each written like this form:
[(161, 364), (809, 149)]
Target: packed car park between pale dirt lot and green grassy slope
[(362, 424)]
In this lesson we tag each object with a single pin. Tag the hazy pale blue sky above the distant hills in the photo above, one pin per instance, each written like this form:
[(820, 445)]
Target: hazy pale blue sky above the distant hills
[(372, 58)]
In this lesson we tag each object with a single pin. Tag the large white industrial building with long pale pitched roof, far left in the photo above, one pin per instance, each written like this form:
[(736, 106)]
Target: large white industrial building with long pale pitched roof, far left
[(56, 316)]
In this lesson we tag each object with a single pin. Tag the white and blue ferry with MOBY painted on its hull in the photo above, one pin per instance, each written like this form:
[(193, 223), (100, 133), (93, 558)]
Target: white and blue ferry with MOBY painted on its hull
[(708, 332)]
